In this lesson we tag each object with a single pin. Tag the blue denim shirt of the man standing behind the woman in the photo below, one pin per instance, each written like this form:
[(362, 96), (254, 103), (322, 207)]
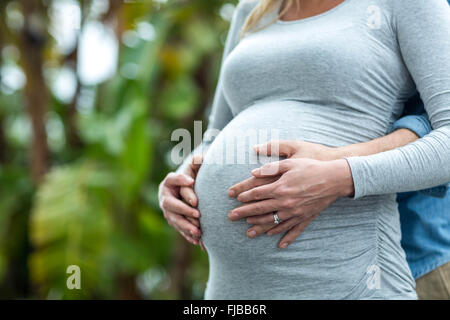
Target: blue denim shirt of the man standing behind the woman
[(424, 215)]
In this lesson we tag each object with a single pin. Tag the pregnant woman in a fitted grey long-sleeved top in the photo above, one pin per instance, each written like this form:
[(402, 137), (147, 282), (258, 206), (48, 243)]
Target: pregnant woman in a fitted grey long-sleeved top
[(339, 73)]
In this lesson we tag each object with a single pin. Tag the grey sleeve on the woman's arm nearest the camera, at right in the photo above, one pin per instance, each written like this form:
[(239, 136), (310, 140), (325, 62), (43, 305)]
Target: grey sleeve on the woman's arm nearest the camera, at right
[(423, 34)]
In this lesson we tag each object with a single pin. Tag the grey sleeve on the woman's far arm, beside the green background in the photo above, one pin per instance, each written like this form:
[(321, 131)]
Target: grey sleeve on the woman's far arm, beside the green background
[(221, 113)]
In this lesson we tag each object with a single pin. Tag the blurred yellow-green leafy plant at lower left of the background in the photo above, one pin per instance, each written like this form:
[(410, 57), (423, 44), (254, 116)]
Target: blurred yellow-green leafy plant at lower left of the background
[(70, 226)]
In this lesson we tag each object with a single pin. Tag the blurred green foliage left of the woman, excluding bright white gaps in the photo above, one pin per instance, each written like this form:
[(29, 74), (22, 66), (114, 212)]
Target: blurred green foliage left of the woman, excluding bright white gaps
[(97, 206)]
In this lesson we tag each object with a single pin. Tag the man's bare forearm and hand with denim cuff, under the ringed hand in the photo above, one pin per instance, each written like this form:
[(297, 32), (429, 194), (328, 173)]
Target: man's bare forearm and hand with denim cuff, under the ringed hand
[(406, 130)]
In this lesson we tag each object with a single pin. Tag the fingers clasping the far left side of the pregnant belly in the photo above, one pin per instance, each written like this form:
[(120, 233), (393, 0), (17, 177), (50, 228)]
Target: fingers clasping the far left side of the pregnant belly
[(175, 191)]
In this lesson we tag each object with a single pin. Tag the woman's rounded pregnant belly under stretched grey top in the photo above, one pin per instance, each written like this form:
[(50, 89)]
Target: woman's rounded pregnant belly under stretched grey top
[(334, 251)]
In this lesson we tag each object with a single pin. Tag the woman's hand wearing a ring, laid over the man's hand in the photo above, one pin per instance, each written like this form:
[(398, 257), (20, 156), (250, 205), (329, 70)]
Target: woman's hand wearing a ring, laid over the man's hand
[(306, 188)]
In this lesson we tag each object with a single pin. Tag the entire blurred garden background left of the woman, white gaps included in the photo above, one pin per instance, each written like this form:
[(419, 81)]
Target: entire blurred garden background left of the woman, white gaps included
[(90, 92)]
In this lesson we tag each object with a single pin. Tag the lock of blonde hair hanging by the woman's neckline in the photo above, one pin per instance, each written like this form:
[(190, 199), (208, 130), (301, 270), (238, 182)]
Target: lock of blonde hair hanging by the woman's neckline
[(264, 7)]
